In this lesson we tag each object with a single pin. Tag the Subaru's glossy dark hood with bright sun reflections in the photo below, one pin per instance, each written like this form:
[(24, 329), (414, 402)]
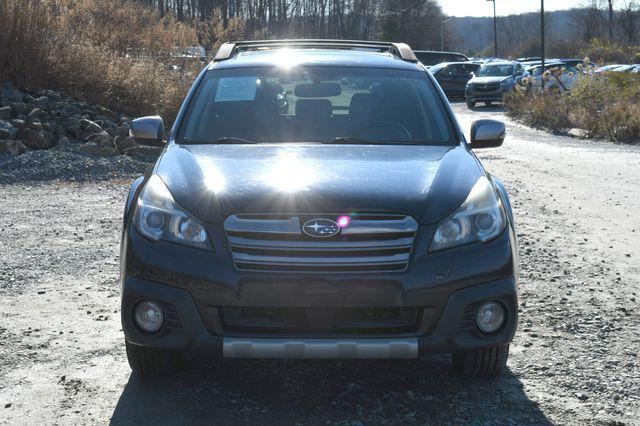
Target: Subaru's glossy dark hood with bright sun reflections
[(215, 181)]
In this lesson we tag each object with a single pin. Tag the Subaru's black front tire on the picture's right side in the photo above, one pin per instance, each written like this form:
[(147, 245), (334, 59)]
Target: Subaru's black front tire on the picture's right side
[(481, 362)]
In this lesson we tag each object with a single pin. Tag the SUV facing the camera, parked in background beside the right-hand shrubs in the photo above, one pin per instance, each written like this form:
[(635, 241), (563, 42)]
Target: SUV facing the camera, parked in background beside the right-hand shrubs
[(492, 80)]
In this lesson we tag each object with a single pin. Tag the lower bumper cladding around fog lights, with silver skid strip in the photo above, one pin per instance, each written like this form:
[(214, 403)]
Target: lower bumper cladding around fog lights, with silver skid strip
[(185, 331)]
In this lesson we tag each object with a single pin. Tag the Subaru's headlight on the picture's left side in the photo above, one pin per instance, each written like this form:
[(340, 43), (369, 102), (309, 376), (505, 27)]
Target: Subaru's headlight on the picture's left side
[(158, 217)]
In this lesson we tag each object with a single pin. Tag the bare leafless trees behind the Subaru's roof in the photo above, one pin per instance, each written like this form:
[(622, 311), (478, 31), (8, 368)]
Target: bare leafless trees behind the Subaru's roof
[(413, 21)]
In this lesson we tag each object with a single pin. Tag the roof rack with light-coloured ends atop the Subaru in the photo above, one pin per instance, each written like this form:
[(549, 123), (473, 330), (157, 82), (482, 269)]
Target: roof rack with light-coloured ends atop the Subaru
[(401, 50)]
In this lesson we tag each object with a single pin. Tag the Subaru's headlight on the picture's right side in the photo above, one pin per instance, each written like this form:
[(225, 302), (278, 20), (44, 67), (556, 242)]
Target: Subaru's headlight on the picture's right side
[(480, 218)]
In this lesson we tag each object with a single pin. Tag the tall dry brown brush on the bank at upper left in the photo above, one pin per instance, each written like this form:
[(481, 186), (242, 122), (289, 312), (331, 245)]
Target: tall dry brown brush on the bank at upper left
[(111, 53)]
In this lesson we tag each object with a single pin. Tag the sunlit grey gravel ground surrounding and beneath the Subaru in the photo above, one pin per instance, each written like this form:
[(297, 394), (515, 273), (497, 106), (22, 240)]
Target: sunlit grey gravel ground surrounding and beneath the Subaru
[(574, 358)]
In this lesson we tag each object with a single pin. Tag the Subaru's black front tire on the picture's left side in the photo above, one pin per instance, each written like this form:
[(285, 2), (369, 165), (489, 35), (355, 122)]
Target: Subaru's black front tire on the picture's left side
[(149, 362)]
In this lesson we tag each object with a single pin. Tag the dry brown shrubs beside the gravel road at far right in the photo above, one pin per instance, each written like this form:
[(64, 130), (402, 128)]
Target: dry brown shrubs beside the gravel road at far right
[(603, 106)]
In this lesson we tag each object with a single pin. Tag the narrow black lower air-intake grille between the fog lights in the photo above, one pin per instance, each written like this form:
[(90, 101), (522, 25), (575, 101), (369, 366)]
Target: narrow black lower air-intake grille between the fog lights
[(319, 320)]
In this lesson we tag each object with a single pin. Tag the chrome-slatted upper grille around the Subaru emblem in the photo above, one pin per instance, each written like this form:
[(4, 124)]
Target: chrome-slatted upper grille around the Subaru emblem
[(370, 243)]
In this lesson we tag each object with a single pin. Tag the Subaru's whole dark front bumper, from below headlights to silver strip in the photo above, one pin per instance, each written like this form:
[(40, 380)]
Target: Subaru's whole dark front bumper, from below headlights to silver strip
[(191, 285)]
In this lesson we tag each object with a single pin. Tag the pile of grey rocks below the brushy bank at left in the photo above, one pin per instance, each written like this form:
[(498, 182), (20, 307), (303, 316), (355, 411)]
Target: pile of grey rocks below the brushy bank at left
[(49, 120)]
